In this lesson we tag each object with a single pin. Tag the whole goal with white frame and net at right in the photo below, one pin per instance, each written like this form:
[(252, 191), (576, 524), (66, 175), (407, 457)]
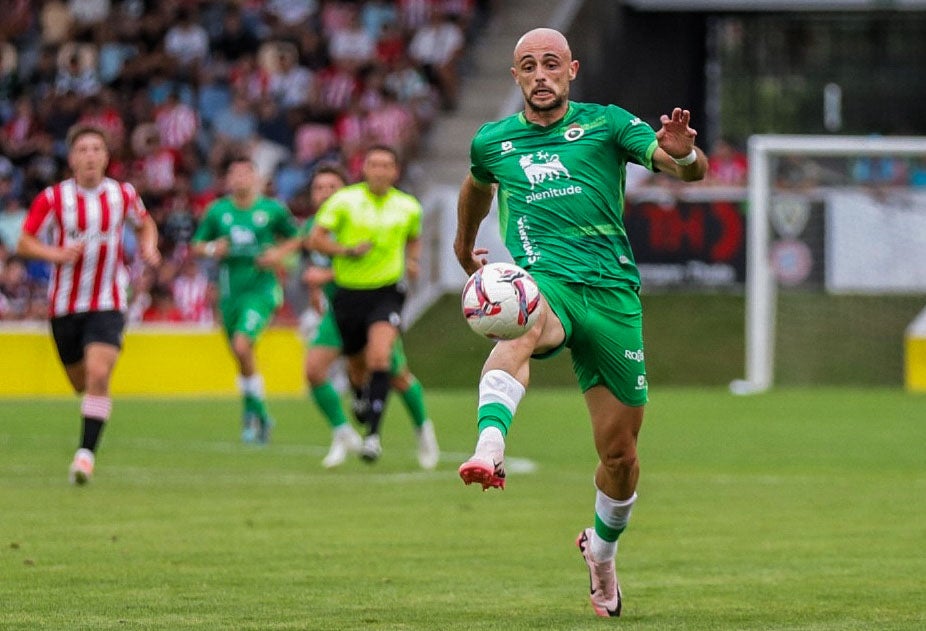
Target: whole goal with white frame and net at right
[(836, 258)]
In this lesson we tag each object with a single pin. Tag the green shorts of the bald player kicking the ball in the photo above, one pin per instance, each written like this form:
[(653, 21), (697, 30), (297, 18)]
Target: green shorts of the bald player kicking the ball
[(604, 331)]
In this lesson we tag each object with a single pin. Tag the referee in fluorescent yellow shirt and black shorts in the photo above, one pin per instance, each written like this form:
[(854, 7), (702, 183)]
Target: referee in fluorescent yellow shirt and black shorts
[(370, 230)]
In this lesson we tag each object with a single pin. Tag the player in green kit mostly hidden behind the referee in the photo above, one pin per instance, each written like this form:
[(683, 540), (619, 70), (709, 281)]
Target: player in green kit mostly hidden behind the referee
[(326, 347)]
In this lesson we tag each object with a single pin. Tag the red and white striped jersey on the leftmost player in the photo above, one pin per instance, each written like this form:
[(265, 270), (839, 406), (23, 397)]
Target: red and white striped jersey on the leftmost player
[(64, 214)]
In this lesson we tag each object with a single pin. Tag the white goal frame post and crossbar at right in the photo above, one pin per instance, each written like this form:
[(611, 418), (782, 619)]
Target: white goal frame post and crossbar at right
[(761, 290)]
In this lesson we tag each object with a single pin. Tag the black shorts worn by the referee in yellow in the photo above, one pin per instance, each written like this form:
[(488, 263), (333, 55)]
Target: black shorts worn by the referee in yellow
[(356, 309)]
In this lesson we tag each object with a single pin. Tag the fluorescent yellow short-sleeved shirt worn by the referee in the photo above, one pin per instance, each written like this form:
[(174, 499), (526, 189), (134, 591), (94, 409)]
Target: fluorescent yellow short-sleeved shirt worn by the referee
[(354, 215)]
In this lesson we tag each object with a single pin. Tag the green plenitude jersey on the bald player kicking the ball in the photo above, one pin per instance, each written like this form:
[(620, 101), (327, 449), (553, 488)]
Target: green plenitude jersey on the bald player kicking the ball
[(561, 190)]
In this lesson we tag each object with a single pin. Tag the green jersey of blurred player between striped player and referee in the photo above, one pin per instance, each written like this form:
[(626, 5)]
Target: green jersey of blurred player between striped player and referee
[(249, 231)]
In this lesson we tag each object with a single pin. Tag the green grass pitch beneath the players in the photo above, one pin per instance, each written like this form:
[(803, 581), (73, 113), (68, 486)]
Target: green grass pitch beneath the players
[(798, 509)]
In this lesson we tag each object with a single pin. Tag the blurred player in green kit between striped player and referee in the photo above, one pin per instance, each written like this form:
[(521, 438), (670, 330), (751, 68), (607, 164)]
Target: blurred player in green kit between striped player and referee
[(249, 235)]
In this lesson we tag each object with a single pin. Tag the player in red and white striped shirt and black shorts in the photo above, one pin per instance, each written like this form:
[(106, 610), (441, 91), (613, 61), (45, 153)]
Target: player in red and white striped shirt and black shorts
[(77, 225)]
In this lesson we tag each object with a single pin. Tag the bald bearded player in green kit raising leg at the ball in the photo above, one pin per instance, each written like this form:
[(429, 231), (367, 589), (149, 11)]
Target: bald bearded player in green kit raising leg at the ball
[(558, 169)]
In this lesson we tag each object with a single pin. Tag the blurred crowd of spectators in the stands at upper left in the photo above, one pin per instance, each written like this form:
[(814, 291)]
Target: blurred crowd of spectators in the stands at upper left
[(178, 85)]
